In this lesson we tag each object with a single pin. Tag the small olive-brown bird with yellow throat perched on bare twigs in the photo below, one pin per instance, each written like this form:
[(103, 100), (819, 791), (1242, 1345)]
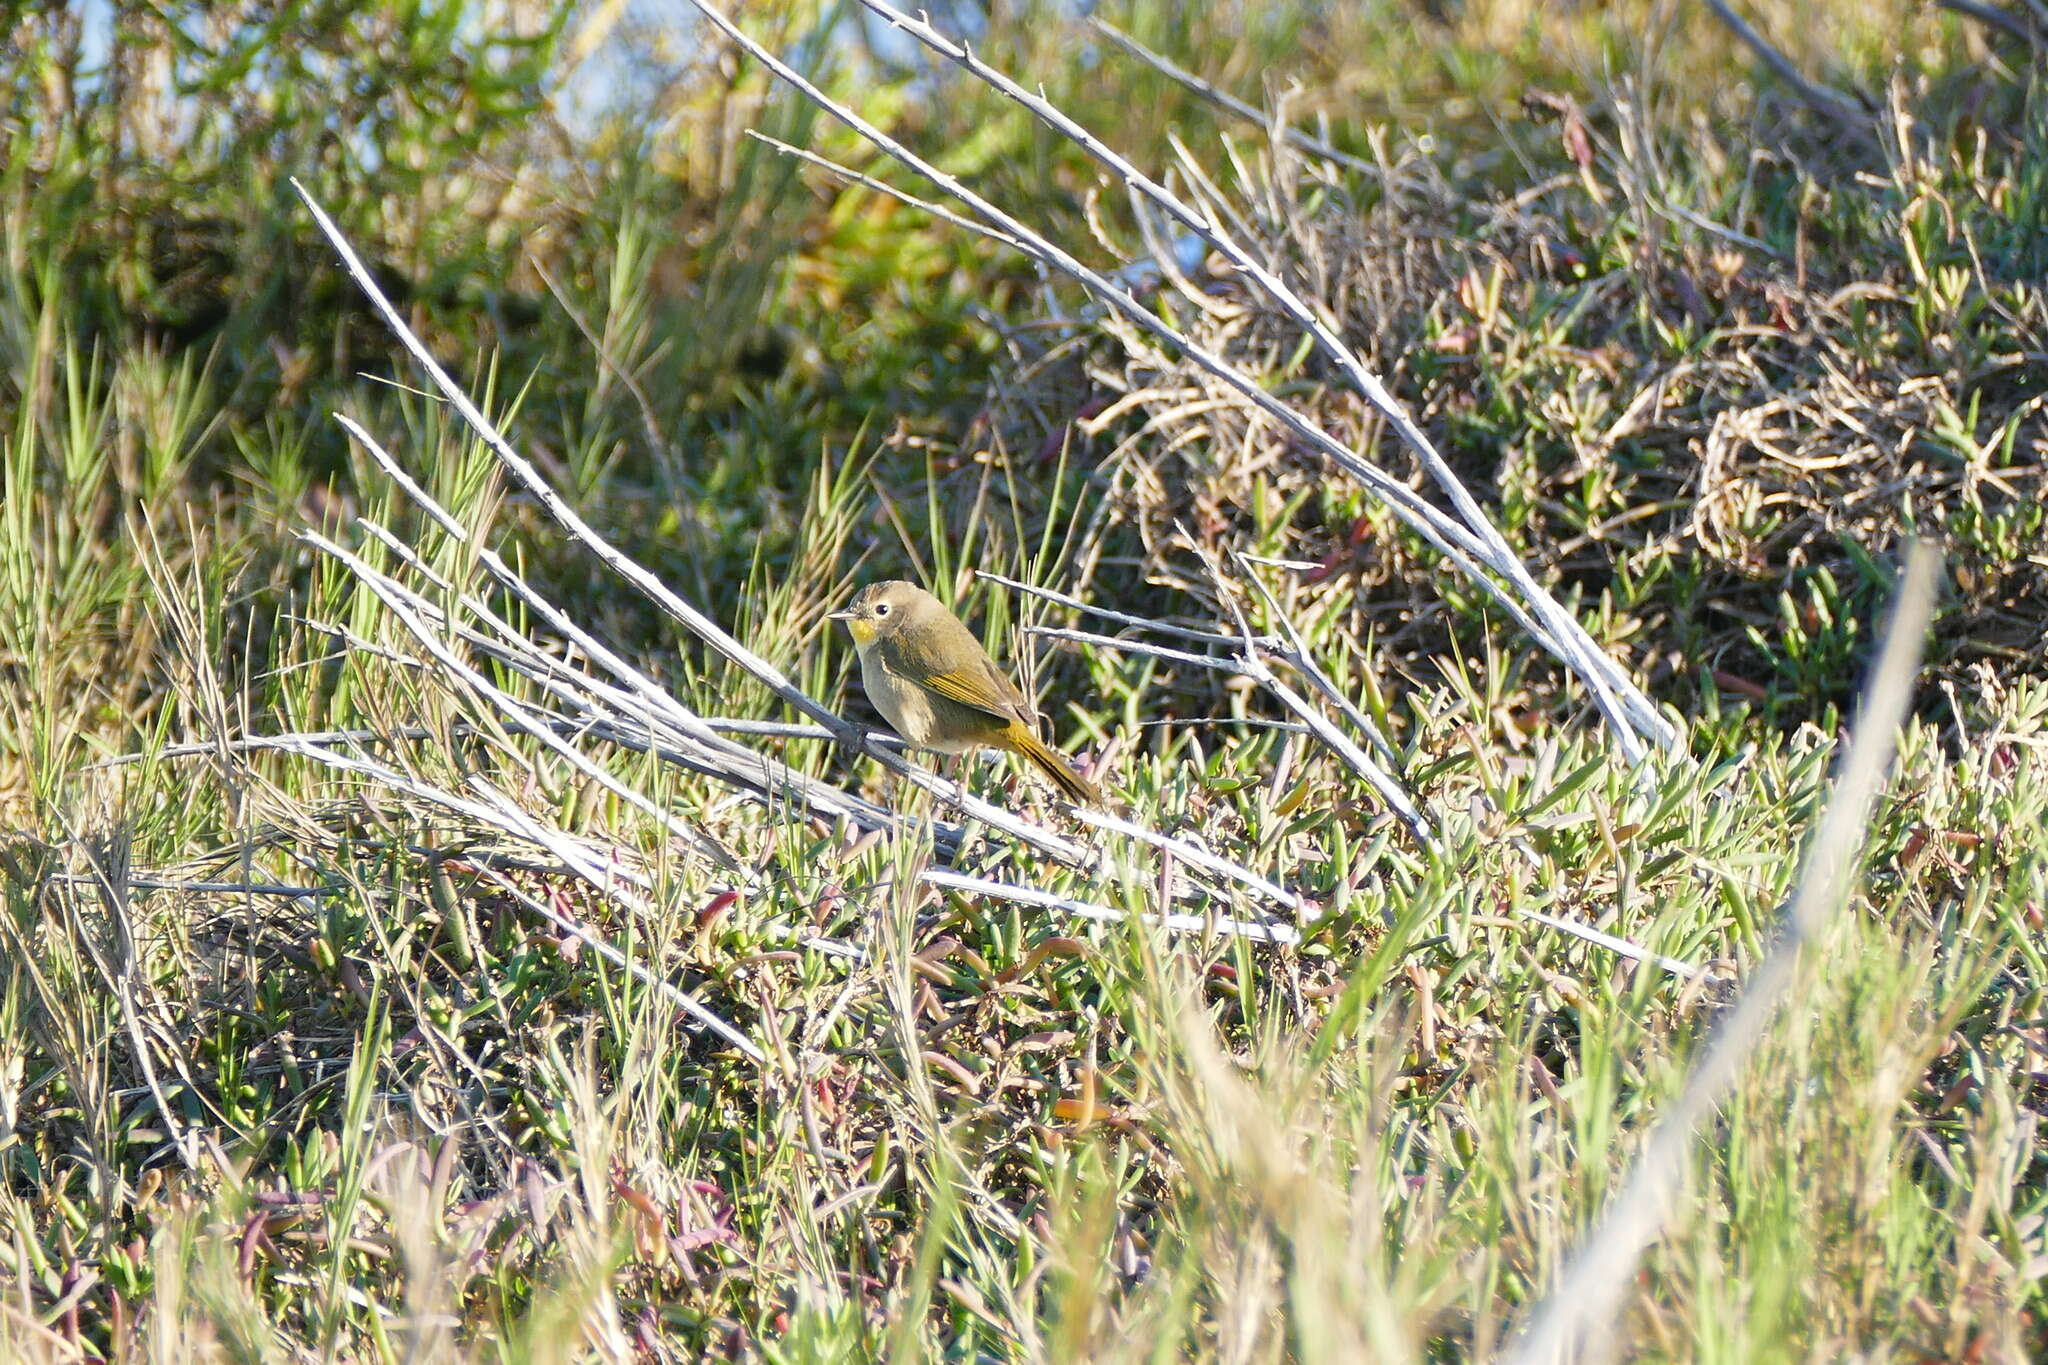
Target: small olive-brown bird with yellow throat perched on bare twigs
[(939, 689)]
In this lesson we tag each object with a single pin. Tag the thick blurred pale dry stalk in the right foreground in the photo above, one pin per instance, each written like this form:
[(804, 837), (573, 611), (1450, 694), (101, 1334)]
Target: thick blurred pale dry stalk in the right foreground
[(1576, 1323)]
